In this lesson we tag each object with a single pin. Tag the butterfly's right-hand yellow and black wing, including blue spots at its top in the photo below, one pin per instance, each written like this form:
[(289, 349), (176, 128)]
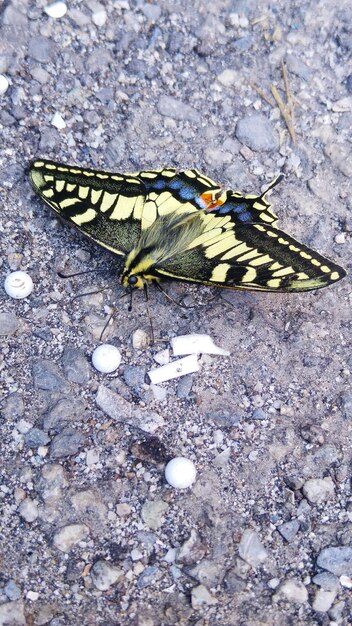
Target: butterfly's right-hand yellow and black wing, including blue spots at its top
[(235, 251)]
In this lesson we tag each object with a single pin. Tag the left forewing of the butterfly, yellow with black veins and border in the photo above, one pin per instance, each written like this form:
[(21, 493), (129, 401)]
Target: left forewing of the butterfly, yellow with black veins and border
[(106, 207)]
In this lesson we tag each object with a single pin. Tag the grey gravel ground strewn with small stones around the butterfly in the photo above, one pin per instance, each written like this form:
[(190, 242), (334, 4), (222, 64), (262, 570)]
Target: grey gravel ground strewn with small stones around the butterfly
[(90, 531)]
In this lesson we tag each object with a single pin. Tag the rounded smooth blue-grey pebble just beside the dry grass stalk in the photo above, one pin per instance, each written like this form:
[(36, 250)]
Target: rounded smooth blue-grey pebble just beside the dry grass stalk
[(256, 132)]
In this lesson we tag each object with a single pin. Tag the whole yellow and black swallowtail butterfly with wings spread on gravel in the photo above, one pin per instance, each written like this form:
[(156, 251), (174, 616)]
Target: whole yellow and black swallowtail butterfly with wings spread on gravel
[(182, 225)]
